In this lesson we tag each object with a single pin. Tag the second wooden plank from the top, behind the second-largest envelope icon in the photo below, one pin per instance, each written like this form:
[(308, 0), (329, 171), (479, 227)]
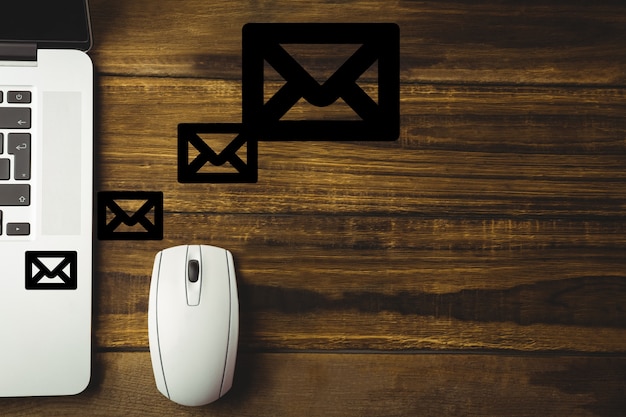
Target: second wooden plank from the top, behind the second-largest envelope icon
[(463, 151)]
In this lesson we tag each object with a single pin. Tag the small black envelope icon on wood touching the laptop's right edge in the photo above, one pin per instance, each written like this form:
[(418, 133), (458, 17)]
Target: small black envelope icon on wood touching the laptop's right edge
[(116, 221)]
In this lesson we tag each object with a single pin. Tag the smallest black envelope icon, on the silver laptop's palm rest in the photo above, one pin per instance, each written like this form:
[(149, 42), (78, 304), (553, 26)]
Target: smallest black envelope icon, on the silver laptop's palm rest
[(51, 270)]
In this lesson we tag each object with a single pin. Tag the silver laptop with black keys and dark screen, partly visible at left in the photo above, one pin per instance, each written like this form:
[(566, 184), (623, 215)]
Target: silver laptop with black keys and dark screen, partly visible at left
[(46, 188)]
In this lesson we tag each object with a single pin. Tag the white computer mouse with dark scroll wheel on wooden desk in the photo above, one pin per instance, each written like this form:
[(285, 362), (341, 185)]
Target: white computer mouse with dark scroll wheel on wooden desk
[(193, 323)]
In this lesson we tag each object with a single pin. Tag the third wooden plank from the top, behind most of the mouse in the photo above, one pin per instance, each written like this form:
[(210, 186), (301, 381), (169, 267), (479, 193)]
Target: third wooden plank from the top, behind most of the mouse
[(392, 284)]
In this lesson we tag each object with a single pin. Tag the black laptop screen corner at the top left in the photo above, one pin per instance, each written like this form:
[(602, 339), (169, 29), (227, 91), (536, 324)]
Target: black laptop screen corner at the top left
[(49, 23)]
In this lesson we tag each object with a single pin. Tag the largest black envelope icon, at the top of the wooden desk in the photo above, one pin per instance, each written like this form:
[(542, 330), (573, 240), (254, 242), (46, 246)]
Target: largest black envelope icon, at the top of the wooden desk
[(378, 117)]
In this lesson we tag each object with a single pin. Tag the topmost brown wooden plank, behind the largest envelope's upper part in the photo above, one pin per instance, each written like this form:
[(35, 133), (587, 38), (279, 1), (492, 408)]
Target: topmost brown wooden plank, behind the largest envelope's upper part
[(547, 42)]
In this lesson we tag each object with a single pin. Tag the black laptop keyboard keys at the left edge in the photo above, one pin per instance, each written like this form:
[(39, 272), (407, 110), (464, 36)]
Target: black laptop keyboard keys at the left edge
[(15, 161)]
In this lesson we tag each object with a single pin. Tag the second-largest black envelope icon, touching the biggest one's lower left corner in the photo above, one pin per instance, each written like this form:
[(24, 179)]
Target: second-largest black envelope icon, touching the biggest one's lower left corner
[(235, 162)]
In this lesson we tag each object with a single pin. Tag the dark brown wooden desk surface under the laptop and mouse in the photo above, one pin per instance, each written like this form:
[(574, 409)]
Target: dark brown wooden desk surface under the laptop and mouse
[(475, 266)]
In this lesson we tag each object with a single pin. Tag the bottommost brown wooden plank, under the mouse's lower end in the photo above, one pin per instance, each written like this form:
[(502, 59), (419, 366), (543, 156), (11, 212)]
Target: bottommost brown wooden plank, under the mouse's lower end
[(357, 384)]
